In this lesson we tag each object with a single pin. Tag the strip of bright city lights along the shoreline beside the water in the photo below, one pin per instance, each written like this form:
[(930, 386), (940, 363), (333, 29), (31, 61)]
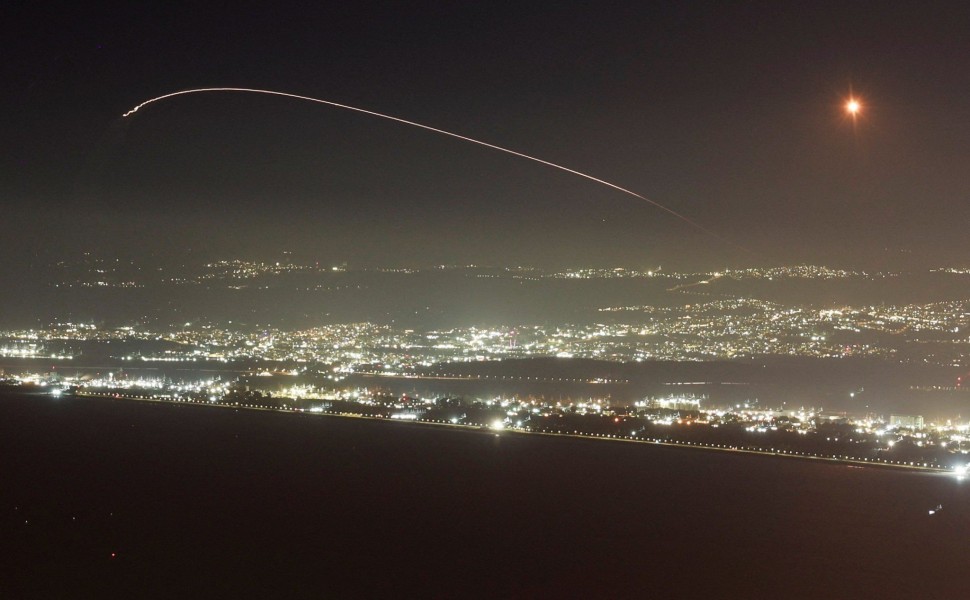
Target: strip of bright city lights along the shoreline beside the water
[(671, 419)]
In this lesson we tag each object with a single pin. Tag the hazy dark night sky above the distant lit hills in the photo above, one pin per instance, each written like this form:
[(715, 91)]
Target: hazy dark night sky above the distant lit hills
[(729, 113)]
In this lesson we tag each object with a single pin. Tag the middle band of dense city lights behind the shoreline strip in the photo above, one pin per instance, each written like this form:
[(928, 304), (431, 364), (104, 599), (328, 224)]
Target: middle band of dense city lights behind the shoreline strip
[(937, 333)]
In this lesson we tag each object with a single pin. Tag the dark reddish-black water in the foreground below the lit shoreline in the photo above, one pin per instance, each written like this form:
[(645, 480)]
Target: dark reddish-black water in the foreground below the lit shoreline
[(103, 498)]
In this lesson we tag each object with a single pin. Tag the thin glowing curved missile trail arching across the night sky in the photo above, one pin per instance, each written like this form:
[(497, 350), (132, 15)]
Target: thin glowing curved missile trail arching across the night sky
[(683, 218)]
